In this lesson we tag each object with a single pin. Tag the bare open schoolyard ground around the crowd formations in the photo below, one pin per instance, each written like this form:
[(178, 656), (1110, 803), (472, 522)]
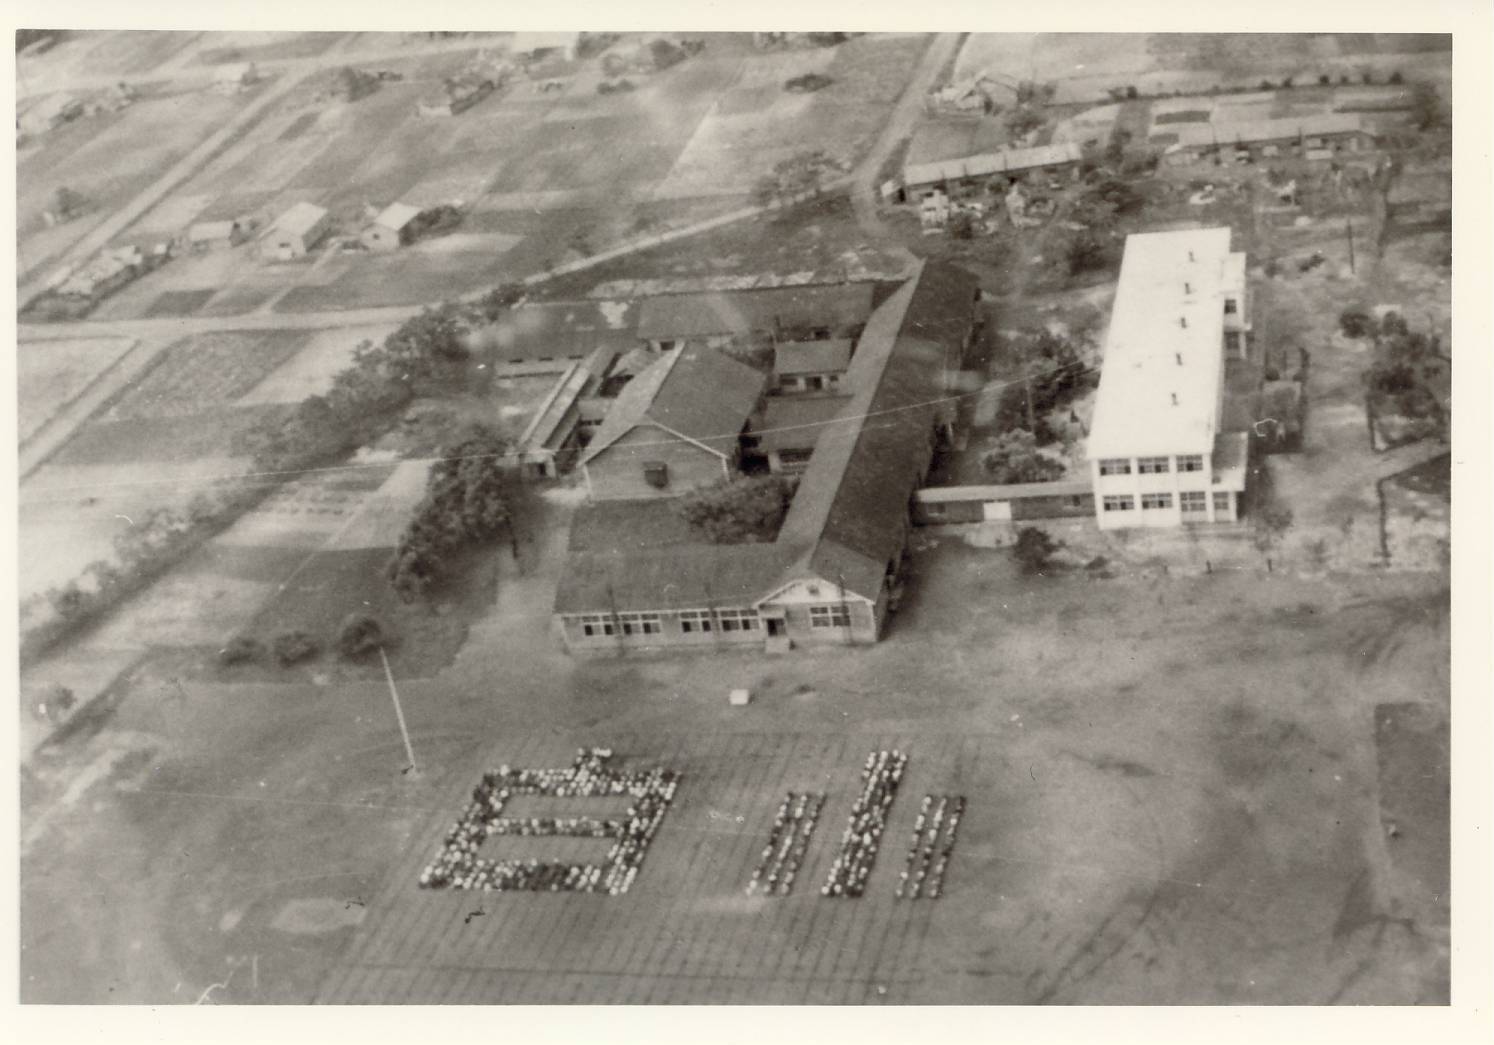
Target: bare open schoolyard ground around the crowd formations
[(1145, 823)]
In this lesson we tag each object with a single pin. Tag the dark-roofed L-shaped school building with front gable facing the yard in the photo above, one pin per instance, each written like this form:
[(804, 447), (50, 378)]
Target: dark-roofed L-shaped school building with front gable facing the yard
[(833, 575)]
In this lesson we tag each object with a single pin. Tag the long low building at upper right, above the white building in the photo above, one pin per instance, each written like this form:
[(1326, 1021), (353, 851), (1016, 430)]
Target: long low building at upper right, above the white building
[(1250, 141)]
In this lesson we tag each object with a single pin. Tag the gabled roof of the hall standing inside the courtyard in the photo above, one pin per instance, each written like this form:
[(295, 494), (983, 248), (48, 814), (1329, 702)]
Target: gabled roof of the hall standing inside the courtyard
[(697, 394)]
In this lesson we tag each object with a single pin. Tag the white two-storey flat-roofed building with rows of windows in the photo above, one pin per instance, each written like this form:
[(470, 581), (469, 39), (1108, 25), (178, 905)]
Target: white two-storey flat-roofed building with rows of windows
[(1157, 452)]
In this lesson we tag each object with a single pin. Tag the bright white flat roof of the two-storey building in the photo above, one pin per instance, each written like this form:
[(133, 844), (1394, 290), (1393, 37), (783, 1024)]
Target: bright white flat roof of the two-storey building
[(1165, 352)]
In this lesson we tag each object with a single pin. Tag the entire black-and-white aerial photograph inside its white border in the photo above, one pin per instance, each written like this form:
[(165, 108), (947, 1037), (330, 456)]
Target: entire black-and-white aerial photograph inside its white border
[(700, 518)]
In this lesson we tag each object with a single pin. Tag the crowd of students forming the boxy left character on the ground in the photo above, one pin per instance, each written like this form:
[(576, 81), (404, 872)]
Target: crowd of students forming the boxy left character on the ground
[(459, 866)]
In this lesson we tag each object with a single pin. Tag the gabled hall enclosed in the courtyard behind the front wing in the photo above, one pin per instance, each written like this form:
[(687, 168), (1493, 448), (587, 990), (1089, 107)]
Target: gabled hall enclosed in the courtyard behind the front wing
[(675, 428)]
